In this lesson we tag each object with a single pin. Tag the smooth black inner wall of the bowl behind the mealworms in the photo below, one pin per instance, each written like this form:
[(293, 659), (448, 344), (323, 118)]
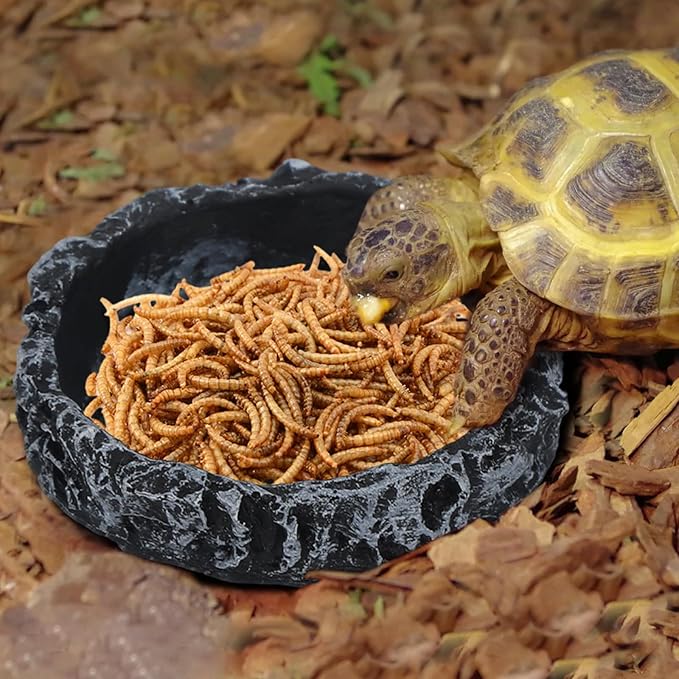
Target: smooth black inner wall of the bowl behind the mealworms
[(196, 244)]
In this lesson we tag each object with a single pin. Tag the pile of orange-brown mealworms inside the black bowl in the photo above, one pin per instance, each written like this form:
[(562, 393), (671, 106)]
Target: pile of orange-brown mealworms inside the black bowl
[(266, 375)]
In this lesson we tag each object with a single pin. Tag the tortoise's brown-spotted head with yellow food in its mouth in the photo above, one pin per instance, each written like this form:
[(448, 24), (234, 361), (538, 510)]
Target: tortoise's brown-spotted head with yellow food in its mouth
[(400, 266)]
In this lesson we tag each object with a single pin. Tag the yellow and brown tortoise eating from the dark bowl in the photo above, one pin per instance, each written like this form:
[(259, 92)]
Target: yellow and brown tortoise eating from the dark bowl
[(564, 215)]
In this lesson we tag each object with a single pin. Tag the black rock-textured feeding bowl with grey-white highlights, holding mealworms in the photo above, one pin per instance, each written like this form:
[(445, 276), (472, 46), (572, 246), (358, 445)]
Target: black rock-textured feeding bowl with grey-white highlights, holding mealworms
[(181, 515)]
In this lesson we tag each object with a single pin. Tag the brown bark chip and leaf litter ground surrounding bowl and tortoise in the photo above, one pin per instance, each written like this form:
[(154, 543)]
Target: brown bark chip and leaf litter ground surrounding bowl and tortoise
[(101, 101)]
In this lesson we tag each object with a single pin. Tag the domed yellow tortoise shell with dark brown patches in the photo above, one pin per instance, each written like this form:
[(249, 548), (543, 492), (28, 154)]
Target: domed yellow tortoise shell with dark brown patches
[(580, 178)]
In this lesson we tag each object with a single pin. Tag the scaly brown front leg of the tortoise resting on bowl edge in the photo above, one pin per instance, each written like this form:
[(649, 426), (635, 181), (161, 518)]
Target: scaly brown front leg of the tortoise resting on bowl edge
[(503, 331)]
